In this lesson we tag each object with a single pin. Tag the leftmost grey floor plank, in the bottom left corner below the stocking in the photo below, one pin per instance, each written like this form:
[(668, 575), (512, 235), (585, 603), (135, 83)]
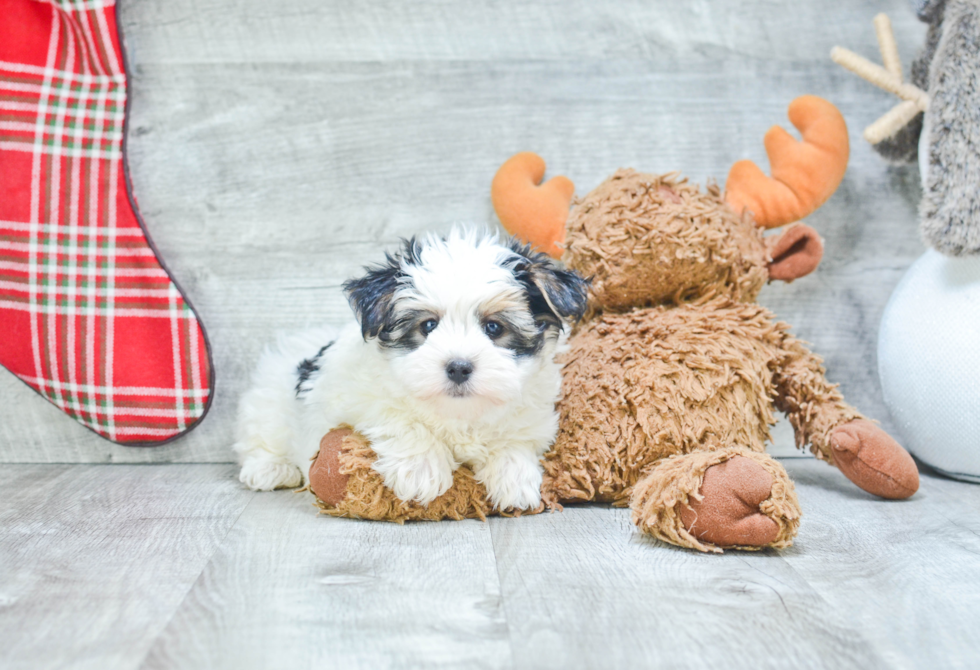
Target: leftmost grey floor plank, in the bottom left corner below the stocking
[(94, 560)]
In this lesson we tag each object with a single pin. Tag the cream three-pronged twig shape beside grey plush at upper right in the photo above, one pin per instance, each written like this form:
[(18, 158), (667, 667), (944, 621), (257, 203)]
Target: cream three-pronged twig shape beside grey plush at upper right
[(889, 78)]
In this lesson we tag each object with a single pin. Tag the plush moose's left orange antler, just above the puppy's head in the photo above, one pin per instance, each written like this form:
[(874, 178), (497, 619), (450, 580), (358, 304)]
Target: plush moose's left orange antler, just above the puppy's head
[(533, 213)]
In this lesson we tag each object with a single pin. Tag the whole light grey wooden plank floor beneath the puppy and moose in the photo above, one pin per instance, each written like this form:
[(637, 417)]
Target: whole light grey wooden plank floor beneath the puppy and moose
[(177, 566)]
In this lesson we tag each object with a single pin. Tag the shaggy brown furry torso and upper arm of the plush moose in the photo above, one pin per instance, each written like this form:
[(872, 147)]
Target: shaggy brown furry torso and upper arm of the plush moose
[(656, 382)]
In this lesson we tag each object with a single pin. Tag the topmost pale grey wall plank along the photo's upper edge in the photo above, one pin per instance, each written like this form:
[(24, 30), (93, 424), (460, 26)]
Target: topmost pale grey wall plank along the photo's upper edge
[(217, 31)]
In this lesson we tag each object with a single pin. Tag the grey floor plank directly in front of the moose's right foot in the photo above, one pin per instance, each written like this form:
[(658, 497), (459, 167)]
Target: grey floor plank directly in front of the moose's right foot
[(583, 590)]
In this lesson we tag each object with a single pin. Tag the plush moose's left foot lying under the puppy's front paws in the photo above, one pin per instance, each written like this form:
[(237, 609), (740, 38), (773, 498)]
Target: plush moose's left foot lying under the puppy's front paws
[(345, 484)]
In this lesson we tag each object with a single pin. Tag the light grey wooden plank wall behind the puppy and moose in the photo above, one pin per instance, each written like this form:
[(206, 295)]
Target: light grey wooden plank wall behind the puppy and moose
[(278, 146)]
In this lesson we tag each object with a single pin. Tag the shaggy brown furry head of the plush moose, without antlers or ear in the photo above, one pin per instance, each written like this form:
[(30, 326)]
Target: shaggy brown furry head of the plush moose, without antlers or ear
[(646, 239)]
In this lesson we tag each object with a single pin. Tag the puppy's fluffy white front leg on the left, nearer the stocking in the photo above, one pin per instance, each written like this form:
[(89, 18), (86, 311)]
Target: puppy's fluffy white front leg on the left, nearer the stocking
[(415, 465)]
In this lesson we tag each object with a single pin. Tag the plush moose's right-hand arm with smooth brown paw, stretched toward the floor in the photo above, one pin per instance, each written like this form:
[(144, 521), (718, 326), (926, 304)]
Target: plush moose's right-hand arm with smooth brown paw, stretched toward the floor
[(836, 432)]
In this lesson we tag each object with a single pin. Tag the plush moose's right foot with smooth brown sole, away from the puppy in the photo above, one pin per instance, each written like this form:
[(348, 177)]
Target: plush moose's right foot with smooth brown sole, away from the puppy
[(725, 498)]
